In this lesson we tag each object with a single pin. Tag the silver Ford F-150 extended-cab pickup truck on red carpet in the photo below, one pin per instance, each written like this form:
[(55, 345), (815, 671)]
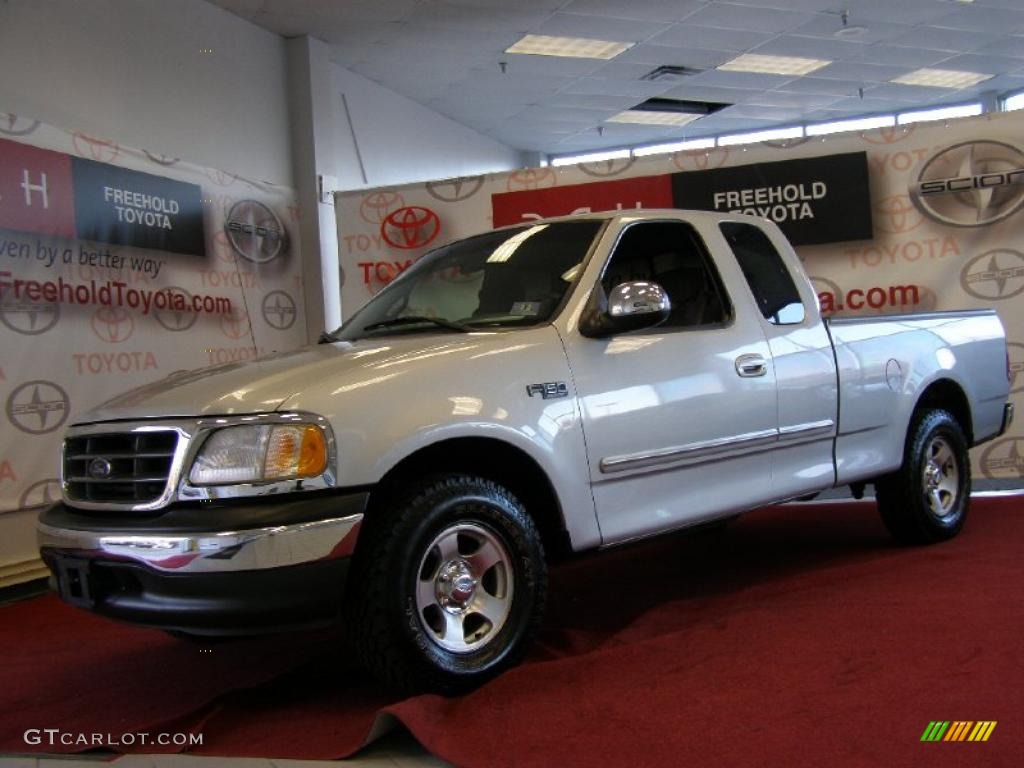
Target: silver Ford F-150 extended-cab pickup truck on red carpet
[(544, 389)]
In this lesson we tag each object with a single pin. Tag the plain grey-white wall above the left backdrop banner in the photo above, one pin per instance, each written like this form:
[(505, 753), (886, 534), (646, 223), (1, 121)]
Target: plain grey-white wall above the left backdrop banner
[(139, 73)]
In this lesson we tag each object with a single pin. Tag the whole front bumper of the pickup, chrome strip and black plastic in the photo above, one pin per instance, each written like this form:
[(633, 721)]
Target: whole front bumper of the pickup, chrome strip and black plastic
[(238, 569)]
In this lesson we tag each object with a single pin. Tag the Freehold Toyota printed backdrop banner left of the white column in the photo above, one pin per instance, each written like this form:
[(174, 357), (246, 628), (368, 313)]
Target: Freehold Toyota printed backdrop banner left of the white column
[(119, 268)]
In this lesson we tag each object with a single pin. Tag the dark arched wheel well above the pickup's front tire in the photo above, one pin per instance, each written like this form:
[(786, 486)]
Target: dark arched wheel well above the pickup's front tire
[(497, 461)]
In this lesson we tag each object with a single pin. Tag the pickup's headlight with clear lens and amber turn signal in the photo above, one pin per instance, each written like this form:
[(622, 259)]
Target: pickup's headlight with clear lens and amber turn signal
[(254, 454)]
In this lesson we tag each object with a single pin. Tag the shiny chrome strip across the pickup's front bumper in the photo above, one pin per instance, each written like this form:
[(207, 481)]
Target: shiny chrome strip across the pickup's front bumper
[(257, 549)]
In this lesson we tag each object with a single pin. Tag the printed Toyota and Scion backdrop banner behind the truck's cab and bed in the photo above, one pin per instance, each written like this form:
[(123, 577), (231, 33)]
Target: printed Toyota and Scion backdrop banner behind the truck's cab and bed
[(943, 231)]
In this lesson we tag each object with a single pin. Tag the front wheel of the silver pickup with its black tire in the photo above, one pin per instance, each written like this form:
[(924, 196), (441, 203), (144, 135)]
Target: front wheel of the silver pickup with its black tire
[(411, 607)]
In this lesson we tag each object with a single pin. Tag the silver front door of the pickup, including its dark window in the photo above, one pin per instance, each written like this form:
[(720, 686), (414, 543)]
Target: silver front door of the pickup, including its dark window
[(677, 430)]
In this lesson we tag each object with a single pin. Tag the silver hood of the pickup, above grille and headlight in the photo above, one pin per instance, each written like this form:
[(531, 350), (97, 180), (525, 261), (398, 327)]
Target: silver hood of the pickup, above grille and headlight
[(264, 385)]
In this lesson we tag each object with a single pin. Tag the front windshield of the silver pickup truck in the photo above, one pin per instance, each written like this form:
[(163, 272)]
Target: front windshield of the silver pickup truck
[(503, 279)]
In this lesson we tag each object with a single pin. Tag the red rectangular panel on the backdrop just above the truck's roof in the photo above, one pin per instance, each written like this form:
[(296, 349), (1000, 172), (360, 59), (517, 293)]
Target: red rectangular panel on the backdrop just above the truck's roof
[(644, 192)]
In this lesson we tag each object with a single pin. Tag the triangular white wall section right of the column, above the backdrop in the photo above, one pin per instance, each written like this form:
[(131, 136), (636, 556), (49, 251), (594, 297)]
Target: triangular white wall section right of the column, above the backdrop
[(401, 141)]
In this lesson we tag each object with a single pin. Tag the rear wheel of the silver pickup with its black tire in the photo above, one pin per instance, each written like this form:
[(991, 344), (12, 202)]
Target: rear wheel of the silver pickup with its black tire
[(927, 500)]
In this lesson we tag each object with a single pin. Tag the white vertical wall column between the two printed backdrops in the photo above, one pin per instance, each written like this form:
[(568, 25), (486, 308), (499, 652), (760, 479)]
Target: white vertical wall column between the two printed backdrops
[(313, 114)]
